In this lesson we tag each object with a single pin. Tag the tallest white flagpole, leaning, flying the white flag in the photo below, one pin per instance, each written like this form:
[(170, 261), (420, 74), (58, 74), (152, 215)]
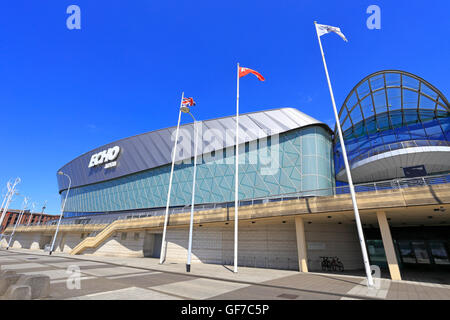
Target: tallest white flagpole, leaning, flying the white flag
[(347, 169)]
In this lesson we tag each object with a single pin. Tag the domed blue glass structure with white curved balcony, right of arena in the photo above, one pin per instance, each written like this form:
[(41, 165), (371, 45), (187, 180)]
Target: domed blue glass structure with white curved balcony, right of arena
[(386, 112)]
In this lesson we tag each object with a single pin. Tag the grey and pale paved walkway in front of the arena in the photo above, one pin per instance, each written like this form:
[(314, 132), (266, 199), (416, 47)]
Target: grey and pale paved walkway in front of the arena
[(144, 278)]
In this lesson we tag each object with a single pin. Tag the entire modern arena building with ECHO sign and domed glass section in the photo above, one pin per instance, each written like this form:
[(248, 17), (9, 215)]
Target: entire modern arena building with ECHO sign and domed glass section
[(294, 204)]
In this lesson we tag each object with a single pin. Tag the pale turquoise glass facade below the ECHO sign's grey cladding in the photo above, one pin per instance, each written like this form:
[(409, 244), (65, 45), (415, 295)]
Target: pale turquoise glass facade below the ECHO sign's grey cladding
[(298, 160)]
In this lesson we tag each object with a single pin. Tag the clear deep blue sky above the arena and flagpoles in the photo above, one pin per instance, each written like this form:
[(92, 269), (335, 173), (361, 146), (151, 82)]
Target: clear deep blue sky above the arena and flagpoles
[(64, 92)]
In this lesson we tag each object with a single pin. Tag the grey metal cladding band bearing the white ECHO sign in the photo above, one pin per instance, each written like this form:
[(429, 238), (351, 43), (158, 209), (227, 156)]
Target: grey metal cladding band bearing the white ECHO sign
[(153, 149)]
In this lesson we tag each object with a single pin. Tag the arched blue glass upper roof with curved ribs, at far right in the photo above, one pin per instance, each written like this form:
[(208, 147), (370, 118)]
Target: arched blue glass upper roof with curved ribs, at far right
[(380, 95)]
